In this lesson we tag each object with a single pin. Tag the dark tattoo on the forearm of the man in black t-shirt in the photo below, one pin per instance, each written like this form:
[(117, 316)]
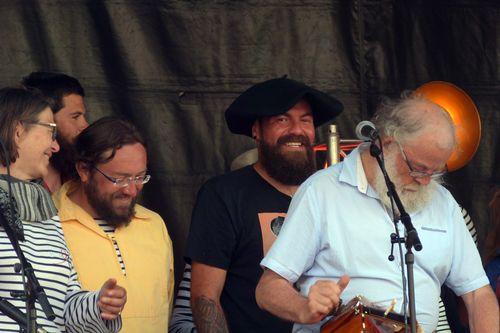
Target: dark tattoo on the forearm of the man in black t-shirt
[(208, 316)]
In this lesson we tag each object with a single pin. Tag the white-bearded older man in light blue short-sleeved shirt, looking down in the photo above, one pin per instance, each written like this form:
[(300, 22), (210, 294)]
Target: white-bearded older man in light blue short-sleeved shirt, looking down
[(336, 238)]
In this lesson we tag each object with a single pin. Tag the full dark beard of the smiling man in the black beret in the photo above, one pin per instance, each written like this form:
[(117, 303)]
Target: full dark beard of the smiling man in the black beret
[(288, 167)]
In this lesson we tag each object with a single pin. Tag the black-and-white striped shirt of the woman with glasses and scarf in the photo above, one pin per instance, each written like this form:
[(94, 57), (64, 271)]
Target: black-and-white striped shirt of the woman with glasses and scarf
[(46, 250)]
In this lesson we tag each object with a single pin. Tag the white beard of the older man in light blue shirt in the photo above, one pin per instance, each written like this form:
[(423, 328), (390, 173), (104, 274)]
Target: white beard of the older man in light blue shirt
[(413, 196)]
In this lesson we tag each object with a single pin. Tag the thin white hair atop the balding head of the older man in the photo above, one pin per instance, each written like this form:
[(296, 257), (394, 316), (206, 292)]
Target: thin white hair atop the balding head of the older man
[(400, 119)]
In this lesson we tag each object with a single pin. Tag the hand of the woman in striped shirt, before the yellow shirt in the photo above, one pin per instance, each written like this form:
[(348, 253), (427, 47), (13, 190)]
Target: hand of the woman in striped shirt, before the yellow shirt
[(112, 299)]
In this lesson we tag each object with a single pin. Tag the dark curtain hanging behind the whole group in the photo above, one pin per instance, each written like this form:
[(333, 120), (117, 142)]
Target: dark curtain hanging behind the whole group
[(173, 67)]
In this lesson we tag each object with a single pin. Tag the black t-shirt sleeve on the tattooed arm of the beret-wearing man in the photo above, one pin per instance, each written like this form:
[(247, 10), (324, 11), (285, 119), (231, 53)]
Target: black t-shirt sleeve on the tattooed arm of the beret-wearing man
[(212, 235)]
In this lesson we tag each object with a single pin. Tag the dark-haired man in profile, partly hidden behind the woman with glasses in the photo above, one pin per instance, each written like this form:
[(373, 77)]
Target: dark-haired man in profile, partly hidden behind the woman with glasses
[(66, 95)]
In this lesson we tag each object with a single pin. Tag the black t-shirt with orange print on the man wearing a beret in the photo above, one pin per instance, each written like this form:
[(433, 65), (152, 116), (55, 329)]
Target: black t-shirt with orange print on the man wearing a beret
[(235, 220)]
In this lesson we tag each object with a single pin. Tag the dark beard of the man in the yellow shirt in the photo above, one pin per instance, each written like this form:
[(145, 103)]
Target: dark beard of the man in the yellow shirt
[(103, 204)]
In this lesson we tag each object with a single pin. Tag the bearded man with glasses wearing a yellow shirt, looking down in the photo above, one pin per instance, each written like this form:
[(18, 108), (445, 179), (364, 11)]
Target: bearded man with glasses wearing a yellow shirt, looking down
[(108, 234)]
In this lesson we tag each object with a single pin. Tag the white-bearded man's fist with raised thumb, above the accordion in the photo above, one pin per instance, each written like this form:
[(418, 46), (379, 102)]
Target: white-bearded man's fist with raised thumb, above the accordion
[(323, 298)]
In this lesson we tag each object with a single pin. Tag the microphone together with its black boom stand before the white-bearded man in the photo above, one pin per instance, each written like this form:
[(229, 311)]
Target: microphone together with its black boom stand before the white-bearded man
[(367, 131)]
